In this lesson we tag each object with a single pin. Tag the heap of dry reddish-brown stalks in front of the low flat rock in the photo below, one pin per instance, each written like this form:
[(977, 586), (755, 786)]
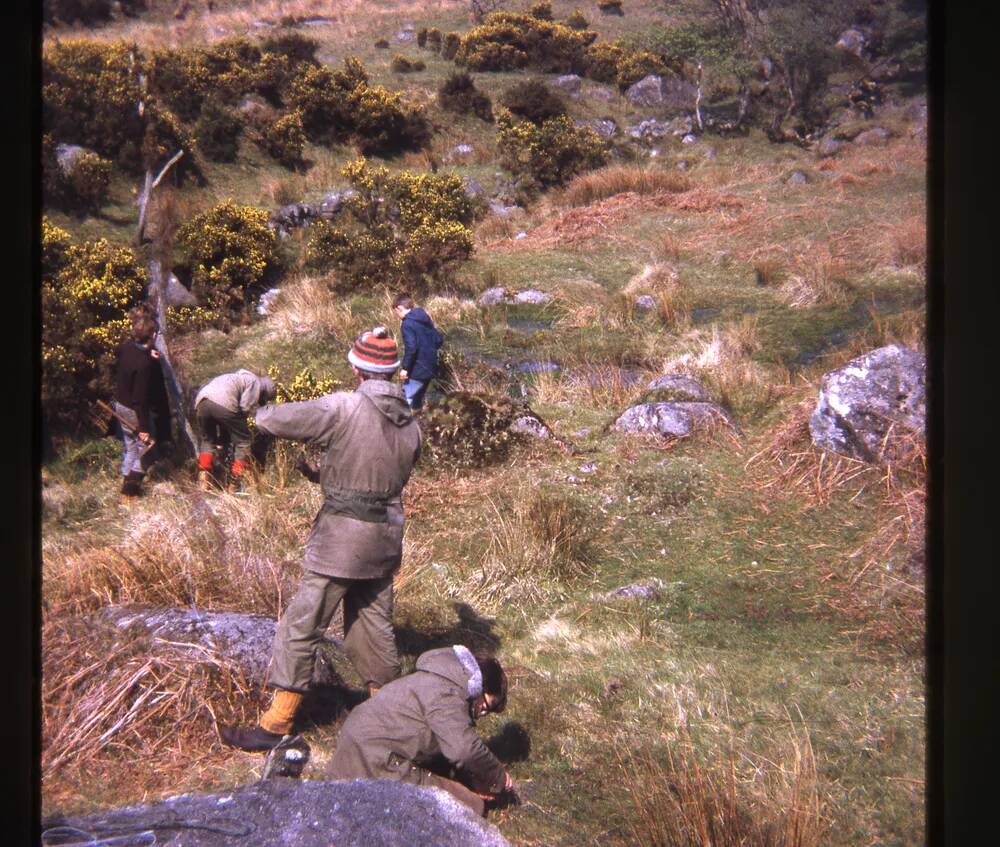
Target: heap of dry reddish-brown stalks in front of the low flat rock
[(109, 703)]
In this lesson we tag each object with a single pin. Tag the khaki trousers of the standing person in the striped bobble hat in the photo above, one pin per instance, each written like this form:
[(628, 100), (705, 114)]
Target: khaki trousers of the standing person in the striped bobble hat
[(369, 640)]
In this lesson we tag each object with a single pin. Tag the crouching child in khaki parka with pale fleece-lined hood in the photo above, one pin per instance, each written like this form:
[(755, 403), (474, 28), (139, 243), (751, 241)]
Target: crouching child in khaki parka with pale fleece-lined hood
[(425, 715)]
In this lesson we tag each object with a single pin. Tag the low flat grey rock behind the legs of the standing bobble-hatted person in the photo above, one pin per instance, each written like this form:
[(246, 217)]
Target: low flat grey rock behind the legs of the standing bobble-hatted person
[(244, 639)]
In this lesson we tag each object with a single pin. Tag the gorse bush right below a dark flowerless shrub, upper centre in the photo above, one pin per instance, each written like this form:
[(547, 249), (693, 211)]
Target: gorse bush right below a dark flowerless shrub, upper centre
[(551, 153)]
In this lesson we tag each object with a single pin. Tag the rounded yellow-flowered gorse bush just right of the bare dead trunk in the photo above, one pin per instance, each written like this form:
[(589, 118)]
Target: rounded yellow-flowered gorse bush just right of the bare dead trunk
[(232, 254)]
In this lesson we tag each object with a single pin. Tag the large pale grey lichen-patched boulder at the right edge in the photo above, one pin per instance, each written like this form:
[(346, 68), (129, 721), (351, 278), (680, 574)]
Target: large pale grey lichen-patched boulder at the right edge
[(859, 402)]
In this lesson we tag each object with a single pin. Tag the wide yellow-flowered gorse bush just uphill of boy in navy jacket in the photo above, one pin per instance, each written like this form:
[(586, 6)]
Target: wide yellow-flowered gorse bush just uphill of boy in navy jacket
[(398, 228)]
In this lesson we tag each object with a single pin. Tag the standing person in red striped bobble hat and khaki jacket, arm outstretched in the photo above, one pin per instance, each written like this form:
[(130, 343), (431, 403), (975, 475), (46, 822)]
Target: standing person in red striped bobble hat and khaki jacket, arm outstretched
[(356, 544)]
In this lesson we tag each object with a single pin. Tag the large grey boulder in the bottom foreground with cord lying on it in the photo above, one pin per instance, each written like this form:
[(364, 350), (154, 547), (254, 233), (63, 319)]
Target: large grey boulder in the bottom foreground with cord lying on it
[(294, 813)]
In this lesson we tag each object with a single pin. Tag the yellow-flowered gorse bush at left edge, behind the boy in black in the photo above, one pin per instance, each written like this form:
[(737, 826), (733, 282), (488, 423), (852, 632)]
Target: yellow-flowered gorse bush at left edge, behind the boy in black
[(87, 291)]
